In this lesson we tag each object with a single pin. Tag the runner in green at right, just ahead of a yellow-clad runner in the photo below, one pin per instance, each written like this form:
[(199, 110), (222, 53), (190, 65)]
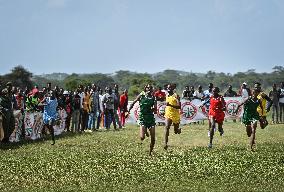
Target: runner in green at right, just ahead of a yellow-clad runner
[(250, 116)]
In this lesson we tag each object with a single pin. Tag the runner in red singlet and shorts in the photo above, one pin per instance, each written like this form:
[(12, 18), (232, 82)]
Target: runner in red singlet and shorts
[(216, 113)]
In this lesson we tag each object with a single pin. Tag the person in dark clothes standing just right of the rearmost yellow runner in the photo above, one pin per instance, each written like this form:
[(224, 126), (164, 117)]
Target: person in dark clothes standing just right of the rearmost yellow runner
[(274, 96)]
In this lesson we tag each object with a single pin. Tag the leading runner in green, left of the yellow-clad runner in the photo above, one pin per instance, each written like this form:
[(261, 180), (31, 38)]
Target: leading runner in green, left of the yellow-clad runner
[(146, 116)]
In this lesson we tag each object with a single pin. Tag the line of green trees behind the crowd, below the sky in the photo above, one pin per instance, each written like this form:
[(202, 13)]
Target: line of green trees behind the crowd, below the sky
[(134, 81)]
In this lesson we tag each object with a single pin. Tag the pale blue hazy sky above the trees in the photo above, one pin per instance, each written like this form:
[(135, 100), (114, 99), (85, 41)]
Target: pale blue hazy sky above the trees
[(104, 36)]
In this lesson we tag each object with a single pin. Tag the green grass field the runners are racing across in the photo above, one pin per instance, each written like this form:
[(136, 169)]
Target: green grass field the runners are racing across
[(115, 161)]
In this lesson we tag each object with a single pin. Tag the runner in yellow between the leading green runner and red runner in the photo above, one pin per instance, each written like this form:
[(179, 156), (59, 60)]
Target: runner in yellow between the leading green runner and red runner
[(172, 113)]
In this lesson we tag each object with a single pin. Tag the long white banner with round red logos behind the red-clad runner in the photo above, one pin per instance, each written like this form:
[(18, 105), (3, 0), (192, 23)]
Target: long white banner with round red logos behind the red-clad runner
[(190, 111)]
